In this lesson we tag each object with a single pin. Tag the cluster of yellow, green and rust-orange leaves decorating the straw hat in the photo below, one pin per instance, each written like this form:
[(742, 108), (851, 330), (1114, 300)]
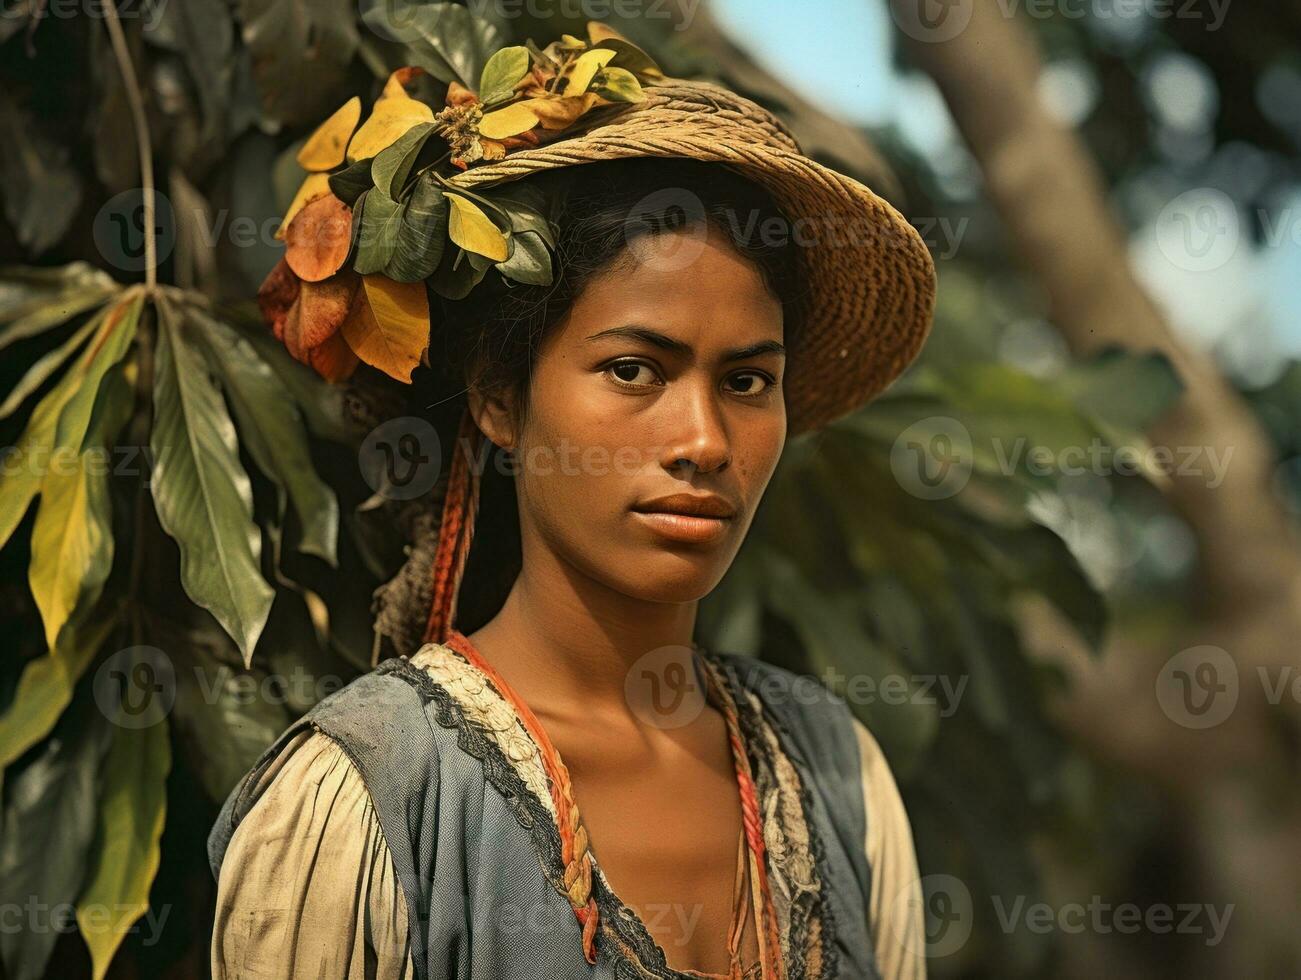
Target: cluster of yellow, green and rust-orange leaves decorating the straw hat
[(379, 217)]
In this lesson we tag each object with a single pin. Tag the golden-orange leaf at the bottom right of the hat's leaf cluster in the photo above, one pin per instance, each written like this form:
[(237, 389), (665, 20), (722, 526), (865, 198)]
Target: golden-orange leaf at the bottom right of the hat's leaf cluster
[(390, 327)]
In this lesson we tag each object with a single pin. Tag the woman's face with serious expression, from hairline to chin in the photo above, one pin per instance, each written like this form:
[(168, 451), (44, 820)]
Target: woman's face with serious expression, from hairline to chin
[(658, 399)]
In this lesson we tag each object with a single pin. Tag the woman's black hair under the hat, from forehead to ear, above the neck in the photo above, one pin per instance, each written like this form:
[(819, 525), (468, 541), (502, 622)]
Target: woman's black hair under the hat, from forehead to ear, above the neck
[(600, 210)]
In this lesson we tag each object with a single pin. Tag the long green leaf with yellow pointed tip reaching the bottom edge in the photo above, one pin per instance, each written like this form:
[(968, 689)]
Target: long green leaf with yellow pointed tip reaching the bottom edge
[(132, 811)]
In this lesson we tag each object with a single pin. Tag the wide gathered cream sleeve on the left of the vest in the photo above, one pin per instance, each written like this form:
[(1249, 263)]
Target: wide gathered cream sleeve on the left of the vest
[(308, 887)]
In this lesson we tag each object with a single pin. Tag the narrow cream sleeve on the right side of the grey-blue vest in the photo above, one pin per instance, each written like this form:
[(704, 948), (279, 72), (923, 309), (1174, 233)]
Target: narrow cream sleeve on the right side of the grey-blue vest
[(896, 906)]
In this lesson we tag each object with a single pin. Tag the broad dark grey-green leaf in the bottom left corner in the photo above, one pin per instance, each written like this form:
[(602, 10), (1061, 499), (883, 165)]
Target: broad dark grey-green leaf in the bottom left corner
[(49, 826)]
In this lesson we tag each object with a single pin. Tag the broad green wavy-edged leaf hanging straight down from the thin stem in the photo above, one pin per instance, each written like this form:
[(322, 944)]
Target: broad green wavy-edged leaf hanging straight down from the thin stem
[(201, 491)]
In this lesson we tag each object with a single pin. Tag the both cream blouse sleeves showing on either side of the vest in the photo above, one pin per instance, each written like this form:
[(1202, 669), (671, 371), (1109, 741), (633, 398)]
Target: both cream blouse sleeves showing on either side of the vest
[(308, 887)]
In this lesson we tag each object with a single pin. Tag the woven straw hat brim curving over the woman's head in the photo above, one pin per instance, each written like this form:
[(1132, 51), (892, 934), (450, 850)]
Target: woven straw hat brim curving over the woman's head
[(870, 282)]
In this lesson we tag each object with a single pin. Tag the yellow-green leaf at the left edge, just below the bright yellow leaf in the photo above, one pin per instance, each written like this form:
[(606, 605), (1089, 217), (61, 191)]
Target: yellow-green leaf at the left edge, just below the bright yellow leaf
[(46, 687)]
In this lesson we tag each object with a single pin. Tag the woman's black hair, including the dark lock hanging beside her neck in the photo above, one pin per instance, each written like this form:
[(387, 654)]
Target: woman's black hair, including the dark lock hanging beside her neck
[(494, 335)]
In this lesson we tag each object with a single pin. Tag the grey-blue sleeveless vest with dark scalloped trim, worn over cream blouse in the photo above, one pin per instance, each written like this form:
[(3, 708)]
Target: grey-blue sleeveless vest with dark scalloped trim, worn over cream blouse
[(466, 835)]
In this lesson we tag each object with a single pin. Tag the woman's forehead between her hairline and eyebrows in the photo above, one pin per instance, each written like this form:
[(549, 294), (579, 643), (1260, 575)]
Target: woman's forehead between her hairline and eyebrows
[(690, 284)]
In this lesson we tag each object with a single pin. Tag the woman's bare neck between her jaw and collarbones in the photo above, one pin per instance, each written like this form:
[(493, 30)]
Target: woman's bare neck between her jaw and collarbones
[(564, 641)]
